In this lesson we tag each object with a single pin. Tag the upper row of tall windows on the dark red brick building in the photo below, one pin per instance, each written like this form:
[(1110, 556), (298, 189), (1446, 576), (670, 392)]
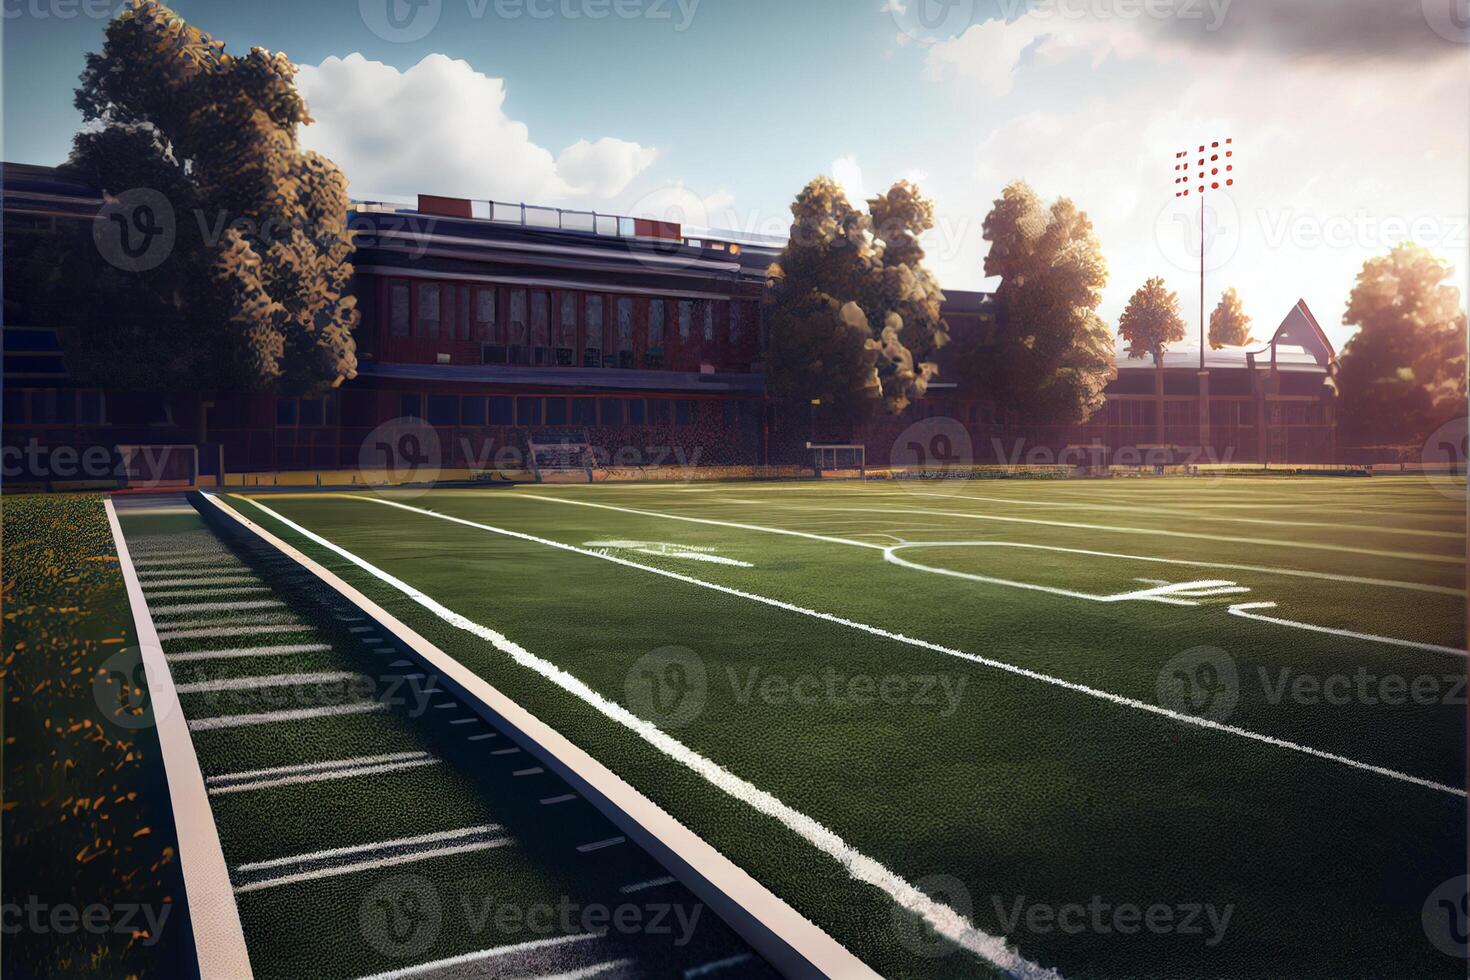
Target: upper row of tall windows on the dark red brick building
[(530, 320)]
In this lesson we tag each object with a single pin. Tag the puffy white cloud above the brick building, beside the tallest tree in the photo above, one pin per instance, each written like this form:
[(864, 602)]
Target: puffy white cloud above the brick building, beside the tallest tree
[(440, 129)]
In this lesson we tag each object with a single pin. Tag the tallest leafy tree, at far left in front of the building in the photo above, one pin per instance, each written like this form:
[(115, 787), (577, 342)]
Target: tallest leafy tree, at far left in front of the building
[(252, 295)]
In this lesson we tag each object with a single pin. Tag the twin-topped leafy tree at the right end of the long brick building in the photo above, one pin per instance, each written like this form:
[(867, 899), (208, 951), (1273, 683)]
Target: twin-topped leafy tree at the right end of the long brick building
[(855, 314)]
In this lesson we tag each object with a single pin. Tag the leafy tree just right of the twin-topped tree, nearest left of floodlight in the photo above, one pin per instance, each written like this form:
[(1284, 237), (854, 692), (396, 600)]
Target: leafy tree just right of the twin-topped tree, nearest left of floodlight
[(1050, 355)]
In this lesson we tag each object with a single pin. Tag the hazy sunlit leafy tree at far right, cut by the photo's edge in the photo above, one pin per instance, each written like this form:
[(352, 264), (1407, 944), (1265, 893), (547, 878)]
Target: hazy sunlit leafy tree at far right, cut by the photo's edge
[(1405, 371)]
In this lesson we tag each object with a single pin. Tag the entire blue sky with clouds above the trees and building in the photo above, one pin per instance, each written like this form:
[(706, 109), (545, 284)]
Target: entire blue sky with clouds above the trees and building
[(720, 111)]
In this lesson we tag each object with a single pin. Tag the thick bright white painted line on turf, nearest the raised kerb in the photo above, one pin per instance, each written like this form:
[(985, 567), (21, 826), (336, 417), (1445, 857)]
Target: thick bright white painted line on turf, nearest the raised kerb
[(943, 919)]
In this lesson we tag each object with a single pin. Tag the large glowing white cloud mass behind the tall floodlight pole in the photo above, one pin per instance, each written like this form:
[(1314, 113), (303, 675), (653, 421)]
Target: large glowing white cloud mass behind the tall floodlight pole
[(1337, 159)]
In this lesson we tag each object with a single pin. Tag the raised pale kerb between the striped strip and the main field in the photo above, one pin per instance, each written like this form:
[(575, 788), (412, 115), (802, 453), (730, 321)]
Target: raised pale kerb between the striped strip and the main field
[(786, 938)]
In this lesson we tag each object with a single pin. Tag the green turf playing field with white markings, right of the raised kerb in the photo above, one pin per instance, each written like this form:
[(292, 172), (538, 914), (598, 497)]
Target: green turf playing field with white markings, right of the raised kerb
[(1125, 728)]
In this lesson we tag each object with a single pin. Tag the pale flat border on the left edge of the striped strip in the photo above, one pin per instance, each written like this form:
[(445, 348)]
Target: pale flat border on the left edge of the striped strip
[(218, 938)]
